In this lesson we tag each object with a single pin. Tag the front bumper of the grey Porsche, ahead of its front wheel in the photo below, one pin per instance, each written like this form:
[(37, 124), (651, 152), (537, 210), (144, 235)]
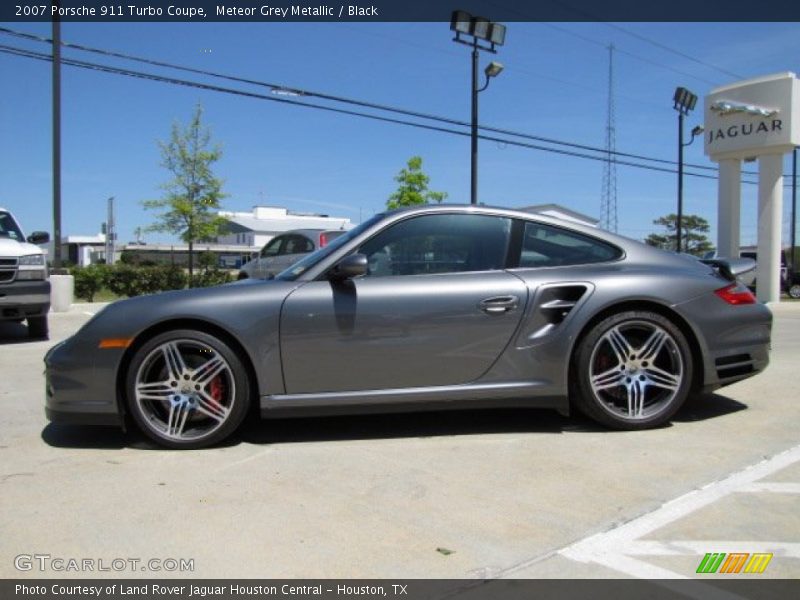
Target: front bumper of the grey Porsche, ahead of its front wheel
[(81, 384)]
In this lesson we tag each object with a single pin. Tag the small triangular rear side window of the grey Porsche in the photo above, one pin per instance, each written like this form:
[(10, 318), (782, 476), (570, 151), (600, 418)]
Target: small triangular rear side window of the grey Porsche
[(548, 246)]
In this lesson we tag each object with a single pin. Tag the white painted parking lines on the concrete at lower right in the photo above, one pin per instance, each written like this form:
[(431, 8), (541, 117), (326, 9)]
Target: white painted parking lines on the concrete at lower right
[(617, 548)]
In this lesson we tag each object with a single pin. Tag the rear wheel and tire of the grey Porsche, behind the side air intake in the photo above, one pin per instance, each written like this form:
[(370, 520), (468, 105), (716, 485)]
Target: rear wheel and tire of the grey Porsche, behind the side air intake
[(621, 390)]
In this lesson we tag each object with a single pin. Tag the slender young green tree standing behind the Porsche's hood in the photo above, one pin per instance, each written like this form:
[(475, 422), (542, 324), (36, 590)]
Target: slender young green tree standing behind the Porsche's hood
[(193, 194)]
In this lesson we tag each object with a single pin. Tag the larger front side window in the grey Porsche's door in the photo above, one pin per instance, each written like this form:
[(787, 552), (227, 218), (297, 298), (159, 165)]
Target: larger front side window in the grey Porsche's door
[(441, 243)]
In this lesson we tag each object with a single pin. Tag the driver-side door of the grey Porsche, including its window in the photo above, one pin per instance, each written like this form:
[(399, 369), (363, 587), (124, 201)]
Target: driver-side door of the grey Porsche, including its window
[(436, 308)]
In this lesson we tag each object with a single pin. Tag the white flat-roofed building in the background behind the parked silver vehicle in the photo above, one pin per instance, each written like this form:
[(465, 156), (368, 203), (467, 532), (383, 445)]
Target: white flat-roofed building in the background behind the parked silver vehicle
[(256, 228)]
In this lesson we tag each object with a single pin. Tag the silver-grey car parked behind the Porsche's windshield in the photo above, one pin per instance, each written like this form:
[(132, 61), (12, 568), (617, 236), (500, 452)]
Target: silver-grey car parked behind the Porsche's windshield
[(286, 249)]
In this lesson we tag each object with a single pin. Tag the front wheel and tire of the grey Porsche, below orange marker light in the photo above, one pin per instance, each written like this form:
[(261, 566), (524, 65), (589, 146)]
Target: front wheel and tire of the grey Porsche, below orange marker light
[(187, 389)]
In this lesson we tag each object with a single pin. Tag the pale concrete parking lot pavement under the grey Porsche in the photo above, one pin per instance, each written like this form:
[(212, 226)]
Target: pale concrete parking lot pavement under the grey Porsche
[(524, 494)]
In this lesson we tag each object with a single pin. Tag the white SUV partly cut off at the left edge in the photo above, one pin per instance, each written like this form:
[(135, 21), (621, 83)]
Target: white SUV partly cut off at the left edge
[(24, 287)]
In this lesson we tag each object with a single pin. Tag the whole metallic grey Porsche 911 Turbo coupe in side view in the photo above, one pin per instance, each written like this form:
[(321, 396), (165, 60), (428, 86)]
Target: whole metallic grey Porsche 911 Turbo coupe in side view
[(431, 307)]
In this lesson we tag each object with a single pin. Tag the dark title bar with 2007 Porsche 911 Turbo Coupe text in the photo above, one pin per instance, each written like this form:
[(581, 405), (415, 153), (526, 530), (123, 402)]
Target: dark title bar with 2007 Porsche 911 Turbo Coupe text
[(276, 11)]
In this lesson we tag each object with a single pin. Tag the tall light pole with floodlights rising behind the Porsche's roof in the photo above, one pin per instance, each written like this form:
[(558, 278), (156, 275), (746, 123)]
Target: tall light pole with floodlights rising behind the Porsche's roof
[(486, 36)]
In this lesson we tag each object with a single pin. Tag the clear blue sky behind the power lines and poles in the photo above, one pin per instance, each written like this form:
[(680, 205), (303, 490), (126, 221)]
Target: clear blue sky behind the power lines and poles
[(554, 85)]
